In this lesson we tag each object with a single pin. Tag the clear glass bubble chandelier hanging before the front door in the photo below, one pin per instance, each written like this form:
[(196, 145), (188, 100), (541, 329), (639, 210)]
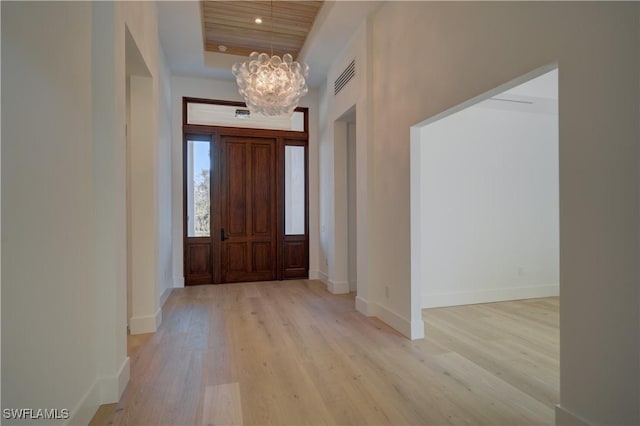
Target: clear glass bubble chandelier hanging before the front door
[(270, 85)]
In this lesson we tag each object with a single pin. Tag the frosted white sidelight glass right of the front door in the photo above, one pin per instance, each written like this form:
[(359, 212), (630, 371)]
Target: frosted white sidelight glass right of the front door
[(294, 194)]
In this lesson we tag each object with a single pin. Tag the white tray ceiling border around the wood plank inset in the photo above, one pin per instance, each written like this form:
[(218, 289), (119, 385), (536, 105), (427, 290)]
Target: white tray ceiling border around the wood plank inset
[(180, 29)]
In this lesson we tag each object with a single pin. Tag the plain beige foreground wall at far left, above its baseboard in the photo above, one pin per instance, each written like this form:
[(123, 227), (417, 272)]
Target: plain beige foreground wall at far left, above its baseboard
[(48, 324)]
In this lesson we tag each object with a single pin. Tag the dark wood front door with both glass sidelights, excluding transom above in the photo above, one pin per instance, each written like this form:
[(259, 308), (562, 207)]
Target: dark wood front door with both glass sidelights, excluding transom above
[(236, 188)]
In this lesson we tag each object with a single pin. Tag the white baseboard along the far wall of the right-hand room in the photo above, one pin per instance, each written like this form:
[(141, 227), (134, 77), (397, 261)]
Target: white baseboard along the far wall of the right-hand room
[(438, 300)]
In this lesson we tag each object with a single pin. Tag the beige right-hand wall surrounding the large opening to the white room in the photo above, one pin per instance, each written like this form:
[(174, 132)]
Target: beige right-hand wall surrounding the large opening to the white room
[(466, 50)]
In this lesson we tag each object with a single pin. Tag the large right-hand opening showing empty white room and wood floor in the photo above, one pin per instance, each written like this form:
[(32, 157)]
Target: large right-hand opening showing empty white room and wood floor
[(485, 229)]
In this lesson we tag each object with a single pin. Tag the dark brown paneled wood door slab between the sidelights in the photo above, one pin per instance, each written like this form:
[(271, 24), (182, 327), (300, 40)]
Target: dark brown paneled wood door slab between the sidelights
[(248, 209)]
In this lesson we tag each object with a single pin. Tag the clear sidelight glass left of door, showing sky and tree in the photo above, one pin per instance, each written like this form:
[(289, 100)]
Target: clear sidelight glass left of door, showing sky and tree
[(198, 188)]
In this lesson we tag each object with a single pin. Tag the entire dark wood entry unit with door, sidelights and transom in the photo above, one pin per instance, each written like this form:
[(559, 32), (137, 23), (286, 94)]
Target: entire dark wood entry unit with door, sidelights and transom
[(246, 201)]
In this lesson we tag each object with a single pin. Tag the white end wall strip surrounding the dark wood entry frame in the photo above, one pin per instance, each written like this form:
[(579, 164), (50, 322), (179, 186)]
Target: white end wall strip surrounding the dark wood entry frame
[(185, 86)]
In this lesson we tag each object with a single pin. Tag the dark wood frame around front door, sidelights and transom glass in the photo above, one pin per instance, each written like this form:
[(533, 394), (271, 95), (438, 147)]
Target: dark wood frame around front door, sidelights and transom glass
[(214, 135)]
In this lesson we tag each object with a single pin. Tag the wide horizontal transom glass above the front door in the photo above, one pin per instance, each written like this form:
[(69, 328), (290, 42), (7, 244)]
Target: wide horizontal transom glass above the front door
[(233, 116)]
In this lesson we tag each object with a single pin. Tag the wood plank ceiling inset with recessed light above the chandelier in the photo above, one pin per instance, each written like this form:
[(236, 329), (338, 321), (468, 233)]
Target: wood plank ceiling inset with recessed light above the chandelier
[(232, 24)]
